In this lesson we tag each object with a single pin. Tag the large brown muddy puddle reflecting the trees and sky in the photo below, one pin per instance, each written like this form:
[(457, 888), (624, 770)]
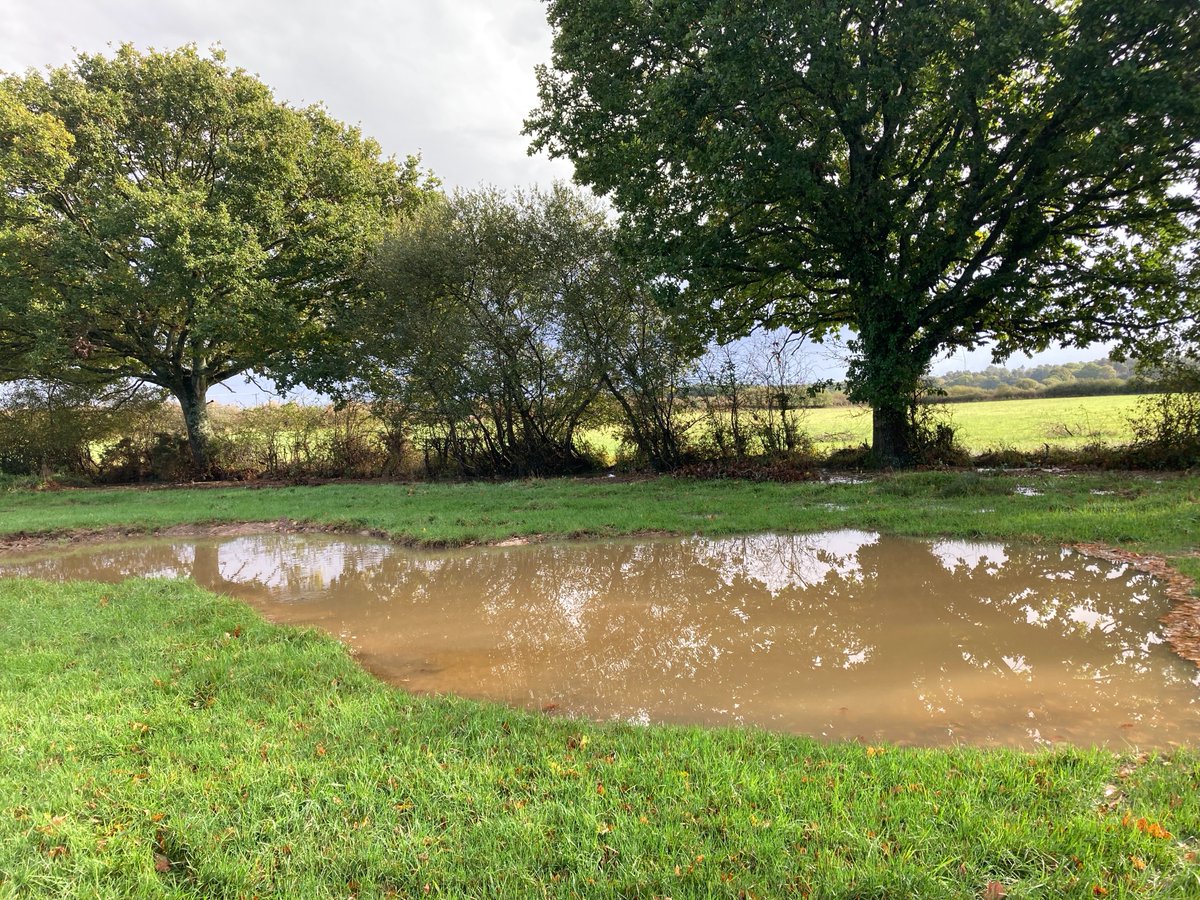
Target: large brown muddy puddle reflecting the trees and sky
[(838, 635)]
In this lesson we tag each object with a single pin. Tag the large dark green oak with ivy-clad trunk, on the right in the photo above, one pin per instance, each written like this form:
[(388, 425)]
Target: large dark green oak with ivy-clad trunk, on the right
[(933, 175)]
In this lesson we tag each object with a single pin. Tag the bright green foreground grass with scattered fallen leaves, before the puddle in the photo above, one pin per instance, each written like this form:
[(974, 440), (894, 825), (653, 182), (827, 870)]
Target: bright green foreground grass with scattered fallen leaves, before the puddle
[(158, 741)]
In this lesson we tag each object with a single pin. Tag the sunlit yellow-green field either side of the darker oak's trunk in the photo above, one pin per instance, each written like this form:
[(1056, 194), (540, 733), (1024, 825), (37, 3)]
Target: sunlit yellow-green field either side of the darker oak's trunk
[(1066, 423)]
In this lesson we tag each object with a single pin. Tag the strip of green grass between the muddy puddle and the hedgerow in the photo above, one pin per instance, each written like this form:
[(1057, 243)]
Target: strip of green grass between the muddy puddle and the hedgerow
[(1156, 513)]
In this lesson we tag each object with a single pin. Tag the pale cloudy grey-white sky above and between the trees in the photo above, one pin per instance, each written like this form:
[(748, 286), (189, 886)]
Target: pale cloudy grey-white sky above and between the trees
[(449, 80)]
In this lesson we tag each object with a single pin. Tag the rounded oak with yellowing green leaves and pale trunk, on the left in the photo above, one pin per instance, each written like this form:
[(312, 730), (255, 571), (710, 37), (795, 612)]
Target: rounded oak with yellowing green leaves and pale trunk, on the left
[(178, 225)]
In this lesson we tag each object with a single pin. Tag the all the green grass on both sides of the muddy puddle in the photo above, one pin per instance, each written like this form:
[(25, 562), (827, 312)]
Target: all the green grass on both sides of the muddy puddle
[(160, 741)]
